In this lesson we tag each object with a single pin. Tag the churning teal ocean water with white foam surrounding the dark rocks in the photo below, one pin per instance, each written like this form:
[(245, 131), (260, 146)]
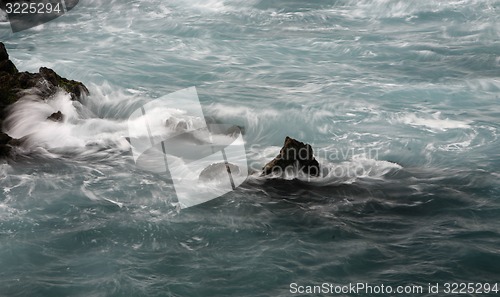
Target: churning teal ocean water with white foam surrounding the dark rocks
[(399, 100)]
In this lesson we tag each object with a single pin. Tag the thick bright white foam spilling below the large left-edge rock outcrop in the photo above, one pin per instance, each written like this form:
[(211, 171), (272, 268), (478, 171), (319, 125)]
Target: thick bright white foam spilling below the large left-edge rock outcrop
[(28, 121)]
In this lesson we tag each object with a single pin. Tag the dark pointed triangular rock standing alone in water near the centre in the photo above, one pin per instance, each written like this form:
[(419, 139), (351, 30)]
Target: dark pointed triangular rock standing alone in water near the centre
[(294, 153)]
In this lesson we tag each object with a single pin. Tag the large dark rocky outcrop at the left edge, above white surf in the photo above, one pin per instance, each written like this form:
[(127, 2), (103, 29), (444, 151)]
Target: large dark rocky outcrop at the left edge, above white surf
[(15, 84)]
